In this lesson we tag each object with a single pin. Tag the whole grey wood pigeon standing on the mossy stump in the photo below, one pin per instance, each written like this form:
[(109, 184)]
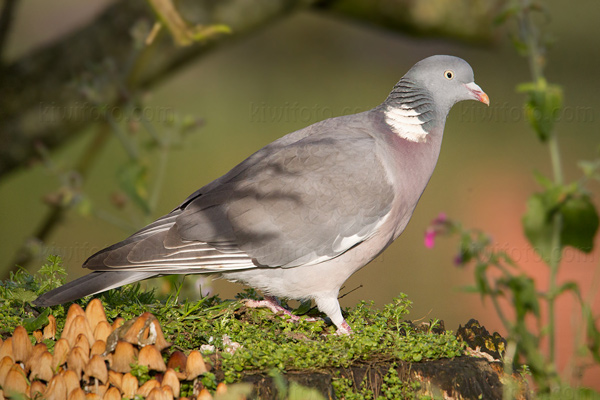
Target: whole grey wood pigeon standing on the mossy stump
[(301, 215)]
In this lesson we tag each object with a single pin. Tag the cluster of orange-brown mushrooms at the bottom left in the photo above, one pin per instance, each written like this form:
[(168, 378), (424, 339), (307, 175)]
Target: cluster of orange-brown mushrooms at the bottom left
[(93, 358)]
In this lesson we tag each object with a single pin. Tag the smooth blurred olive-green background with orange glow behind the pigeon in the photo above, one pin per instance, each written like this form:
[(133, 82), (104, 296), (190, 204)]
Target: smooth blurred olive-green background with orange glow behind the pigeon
[(309, 67)]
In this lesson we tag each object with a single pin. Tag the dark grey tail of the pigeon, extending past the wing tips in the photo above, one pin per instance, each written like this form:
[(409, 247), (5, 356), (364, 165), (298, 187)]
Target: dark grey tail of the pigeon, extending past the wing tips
[(95, 282)]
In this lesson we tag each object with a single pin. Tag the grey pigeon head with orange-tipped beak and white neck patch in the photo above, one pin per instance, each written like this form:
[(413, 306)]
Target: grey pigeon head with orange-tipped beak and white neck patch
[(421, 100)]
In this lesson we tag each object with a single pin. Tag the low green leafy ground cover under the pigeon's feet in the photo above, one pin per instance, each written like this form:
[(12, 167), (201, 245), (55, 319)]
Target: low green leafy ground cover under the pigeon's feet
[(249, 339)]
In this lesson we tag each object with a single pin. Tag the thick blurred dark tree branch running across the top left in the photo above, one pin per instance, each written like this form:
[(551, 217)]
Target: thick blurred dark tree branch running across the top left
[(42, 92)]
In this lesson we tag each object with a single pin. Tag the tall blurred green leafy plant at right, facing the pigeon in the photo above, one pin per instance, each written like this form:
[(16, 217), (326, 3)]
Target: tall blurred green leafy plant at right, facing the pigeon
[(560, 215)]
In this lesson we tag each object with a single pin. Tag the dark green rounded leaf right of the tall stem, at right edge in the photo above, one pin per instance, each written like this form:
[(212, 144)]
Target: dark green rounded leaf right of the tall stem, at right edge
[(580, 223)]
